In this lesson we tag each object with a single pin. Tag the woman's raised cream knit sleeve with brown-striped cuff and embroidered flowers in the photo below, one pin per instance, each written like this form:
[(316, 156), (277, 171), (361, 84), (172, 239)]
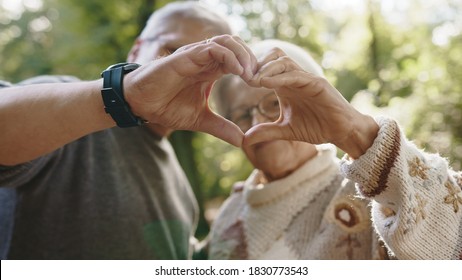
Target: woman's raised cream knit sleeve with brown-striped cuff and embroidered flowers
[(426, 192)]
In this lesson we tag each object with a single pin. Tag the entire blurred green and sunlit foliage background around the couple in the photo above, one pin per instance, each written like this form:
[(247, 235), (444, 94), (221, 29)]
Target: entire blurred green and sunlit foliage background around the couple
[(400, 58)]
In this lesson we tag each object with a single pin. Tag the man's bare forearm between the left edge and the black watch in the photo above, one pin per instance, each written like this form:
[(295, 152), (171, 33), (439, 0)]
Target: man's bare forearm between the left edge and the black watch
[(37, 119)]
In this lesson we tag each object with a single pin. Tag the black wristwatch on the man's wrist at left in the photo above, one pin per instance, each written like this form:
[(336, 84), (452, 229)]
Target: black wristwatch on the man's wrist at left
[(113, 95)]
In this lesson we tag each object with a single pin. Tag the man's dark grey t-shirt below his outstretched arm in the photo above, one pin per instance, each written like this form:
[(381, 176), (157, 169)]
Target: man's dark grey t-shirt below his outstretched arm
[(114, 194)]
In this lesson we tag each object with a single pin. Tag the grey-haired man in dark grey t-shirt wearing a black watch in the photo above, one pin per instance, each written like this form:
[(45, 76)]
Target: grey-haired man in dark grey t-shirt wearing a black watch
[(75, 186)]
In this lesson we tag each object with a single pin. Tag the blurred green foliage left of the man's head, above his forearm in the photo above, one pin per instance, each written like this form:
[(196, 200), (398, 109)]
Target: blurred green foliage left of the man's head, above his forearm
[(68, 37)]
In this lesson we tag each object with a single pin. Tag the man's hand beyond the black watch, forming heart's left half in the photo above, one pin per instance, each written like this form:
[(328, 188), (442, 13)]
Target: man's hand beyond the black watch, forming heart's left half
[(174, 91)]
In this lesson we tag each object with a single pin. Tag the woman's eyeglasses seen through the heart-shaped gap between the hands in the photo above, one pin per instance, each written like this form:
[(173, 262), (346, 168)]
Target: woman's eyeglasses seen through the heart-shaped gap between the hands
[(268, 106)]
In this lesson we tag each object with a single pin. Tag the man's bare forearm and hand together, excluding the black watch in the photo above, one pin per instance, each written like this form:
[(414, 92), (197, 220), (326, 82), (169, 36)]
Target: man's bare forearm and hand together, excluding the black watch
[(172, 92)]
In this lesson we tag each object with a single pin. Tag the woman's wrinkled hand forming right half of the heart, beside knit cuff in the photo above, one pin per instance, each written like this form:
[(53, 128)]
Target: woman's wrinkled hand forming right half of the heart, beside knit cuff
[(312, 110)]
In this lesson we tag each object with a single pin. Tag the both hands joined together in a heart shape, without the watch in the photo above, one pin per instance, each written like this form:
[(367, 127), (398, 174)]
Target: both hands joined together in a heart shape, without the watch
[(312, 110)]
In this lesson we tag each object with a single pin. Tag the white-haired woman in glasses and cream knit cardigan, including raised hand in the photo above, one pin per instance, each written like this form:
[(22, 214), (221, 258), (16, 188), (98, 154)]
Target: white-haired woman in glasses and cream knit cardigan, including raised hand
[(298, 204)]
